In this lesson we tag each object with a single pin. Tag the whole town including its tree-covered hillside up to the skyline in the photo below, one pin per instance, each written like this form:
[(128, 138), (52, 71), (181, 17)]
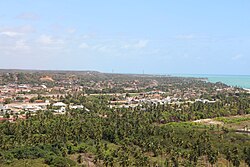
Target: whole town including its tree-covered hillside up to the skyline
[(47, 90)]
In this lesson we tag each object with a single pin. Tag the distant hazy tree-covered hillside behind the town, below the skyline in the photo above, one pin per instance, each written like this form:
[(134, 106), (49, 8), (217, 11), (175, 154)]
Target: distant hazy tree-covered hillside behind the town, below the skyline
[(91, 81)]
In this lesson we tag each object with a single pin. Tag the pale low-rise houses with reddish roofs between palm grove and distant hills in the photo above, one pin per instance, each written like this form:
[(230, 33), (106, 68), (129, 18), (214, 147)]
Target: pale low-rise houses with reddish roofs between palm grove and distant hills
[(20, 98)]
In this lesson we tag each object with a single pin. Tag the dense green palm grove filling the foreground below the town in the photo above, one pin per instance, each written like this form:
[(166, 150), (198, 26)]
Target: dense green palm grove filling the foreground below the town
[(144, 136)]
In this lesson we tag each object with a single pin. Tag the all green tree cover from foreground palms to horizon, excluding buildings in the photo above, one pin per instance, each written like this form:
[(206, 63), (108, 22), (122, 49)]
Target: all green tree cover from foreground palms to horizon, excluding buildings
[(150, 134)]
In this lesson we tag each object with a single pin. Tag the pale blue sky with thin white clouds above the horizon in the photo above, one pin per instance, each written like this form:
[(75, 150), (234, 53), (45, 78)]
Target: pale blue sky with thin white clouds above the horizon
[(127, 36)]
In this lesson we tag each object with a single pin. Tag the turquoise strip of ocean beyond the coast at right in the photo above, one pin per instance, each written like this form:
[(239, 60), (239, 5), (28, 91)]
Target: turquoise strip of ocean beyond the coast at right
[(242, 81)]
